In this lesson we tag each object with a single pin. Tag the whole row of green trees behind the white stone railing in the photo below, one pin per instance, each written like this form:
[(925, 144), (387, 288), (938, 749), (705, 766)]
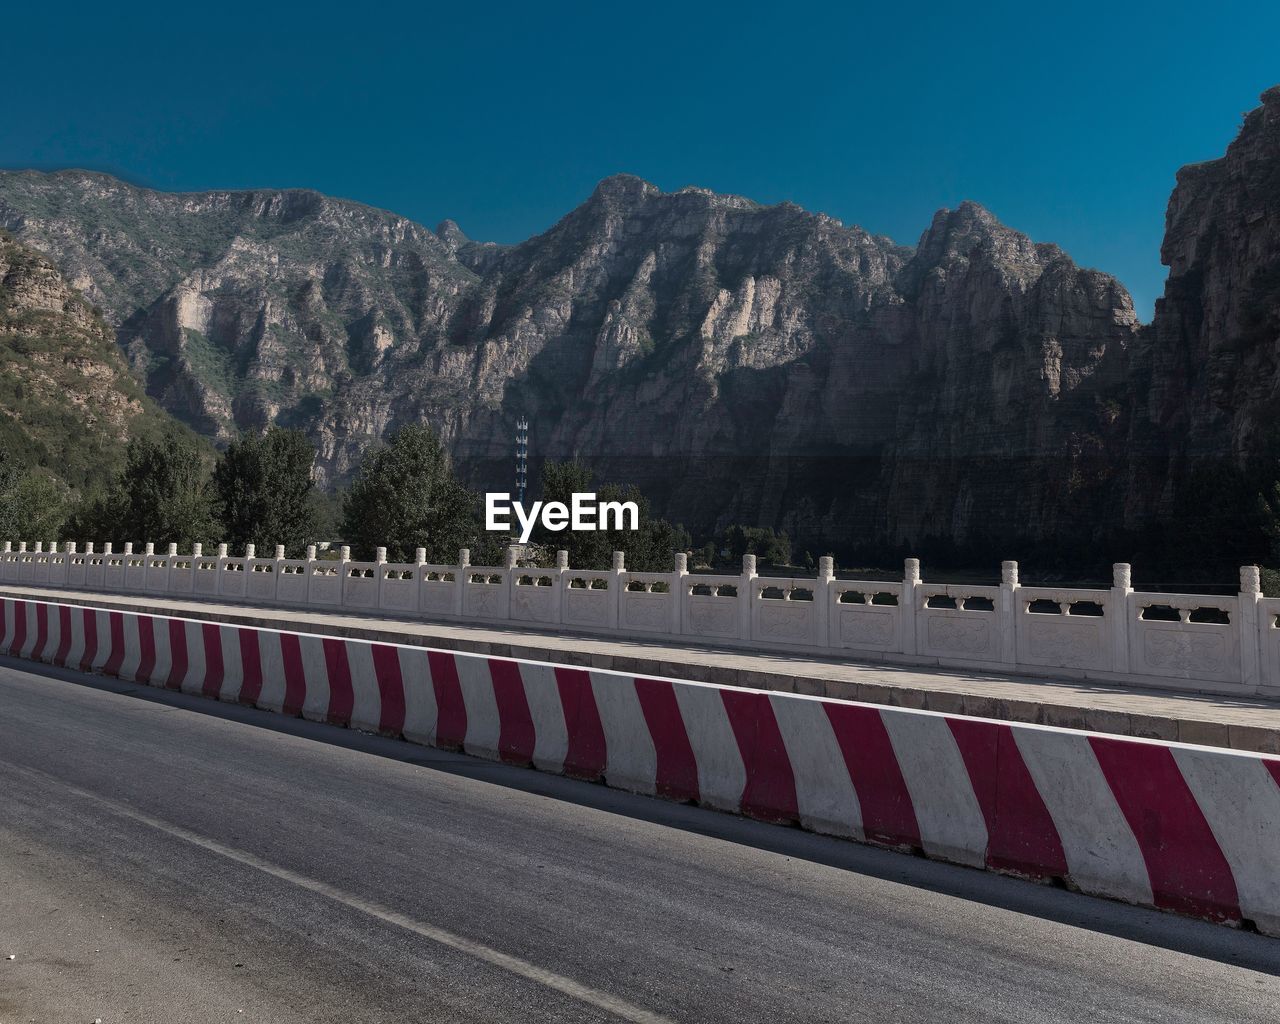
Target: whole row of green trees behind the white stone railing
[(262, 491)]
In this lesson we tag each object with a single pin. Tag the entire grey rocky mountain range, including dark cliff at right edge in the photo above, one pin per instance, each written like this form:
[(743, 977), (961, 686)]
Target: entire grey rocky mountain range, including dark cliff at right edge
[(743, 364)]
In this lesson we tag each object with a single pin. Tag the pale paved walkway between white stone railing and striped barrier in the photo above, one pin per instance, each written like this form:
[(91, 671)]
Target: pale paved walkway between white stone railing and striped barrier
[(1245, 724)]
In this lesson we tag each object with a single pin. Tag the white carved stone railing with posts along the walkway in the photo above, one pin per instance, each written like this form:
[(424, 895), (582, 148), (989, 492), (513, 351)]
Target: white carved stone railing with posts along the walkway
[(1214, 644)]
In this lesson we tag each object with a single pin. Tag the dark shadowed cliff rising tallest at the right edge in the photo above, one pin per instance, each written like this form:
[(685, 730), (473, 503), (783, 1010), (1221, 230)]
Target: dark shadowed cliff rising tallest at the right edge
[(1201, 383)]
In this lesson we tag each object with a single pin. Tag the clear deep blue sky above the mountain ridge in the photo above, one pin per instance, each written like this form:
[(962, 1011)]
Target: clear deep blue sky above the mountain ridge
[(1068, 121)]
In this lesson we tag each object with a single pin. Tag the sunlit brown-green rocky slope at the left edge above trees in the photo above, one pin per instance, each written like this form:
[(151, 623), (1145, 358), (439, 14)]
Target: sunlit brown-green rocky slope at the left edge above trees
[(68, 403)]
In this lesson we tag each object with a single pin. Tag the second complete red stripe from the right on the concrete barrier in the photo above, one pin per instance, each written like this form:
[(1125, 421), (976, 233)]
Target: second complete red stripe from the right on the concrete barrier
[(1022, 835)]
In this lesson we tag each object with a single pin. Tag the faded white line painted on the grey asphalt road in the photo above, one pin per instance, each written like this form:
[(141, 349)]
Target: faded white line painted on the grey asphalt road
[(490, 956)]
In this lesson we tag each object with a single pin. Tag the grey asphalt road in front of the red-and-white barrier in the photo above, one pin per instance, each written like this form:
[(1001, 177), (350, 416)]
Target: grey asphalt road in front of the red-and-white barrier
[(172, 860)]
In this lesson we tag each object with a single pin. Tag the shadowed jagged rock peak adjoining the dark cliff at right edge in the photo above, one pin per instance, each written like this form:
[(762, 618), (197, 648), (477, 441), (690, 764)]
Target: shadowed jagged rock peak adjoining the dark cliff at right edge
[(1013, 420)]
